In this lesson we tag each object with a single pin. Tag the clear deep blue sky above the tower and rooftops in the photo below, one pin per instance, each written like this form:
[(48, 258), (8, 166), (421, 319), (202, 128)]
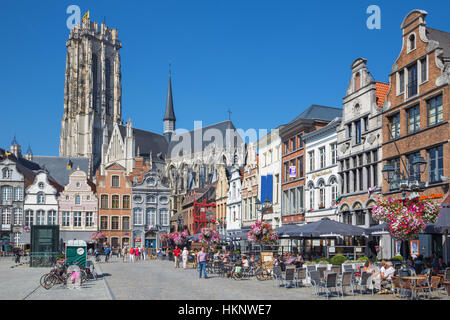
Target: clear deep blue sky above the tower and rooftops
[(265, 60)]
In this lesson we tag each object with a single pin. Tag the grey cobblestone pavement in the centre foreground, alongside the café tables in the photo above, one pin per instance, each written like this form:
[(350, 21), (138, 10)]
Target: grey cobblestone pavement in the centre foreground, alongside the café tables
[(154, 279)]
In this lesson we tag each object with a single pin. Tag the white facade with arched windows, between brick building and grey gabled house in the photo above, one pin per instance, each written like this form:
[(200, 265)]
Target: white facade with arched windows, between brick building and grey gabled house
[(322, 178)]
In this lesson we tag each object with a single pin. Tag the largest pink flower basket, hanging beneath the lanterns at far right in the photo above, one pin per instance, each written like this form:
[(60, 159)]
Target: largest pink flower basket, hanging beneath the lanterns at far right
[(406, 218)]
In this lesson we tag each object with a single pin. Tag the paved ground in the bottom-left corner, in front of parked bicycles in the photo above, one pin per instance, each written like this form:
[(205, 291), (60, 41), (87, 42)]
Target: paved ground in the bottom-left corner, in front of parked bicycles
[(22, 283)]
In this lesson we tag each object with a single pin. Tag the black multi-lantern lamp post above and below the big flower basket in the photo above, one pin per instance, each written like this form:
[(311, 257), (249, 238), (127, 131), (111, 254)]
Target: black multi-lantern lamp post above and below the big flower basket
[(410, 183)]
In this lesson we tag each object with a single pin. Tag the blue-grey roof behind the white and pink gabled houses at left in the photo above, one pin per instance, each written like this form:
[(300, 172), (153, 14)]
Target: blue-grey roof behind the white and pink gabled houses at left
[(57, 167)]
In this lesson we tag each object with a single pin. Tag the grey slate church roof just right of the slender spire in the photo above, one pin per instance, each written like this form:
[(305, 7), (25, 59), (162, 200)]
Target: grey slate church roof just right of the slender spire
[(197, 147)]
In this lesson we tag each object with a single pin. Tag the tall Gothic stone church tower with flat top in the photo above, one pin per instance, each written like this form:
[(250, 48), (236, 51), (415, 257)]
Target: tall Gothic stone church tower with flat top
[(92, 91)]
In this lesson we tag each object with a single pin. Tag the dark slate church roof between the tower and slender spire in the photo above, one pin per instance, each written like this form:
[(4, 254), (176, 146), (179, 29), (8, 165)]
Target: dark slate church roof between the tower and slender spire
[(146, 141)]
